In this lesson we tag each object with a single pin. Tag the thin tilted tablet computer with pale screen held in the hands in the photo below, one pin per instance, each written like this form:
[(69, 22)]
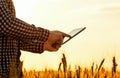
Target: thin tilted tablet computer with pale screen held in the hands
[(73, 33)]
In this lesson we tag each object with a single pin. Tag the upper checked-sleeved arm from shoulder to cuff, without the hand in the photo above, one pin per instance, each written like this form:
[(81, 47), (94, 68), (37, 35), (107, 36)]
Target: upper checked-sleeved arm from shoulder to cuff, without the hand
[(17, 29)]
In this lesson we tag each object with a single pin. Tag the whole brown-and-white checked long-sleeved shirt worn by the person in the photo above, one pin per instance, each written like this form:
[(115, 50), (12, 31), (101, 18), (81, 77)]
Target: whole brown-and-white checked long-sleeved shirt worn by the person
[(16, 35)]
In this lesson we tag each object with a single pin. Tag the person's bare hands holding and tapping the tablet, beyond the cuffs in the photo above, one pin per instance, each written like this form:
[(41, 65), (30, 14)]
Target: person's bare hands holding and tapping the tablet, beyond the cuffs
[(55, 40)]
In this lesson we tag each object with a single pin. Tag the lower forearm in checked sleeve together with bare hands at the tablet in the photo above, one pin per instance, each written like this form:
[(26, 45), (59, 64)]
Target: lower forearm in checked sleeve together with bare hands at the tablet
[(53, 43)]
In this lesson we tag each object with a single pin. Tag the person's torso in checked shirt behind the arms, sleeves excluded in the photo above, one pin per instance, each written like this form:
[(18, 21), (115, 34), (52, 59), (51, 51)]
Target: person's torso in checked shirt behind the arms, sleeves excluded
[(9, 48)]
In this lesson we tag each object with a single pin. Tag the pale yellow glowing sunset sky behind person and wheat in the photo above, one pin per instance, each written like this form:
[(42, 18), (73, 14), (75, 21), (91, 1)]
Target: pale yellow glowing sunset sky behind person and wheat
[(100, 40)]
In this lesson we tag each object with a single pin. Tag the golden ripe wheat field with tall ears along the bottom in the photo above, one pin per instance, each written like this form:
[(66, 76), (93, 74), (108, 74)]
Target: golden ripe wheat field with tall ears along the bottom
[(64, 71)]
